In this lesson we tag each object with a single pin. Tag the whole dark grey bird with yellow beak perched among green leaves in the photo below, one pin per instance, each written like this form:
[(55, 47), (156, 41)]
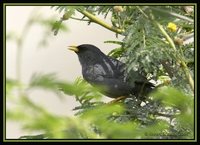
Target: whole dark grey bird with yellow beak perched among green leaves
[(107, 72)]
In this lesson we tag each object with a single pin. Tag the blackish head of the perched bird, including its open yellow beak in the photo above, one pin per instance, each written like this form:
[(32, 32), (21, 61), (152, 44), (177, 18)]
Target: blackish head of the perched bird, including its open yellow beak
[(87, 53)]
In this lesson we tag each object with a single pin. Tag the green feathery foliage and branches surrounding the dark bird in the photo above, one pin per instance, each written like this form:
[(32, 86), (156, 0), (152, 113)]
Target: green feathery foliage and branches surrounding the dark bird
[(149, 45)]
